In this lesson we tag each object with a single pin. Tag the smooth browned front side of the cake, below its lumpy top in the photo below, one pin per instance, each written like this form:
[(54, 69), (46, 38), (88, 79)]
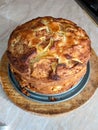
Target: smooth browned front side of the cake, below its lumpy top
[(49, 87)]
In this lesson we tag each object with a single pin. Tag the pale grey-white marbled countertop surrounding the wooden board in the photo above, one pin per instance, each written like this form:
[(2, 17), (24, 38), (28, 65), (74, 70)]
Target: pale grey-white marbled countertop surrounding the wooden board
[(15, 12)]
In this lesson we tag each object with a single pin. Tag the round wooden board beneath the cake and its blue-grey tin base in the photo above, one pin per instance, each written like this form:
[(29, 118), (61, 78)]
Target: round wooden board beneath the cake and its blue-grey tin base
[(50, 109)]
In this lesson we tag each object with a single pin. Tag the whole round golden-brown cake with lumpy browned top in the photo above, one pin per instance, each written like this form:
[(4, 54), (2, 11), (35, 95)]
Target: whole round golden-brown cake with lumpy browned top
[(46, 51)]
